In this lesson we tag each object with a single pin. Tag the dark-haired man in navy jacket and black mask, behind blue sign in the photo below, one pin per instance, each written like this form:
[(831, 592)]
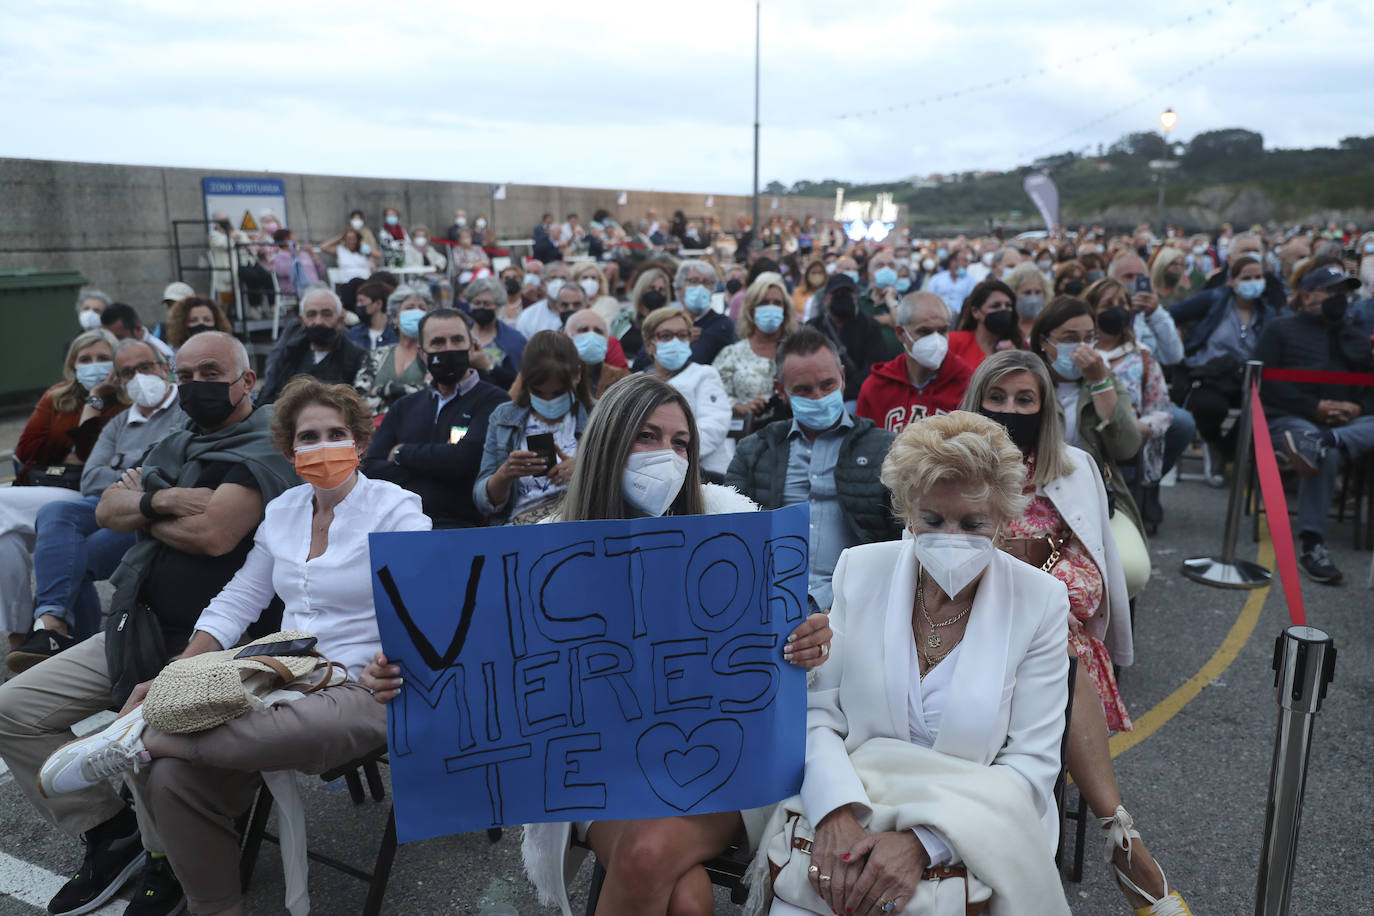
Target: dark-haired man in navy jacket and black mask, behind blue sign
[(432, 442)]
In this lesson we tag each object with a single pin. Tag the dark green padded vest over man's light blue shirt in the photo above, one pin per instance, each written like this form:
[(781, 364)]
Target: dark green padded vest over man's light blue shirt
[(759, 470)]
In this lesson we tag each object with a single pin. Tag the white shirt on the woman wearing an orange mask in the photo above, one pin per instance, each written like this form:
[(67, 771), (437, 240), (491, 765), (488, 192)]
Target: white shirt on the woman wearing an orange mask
[(329, 597)]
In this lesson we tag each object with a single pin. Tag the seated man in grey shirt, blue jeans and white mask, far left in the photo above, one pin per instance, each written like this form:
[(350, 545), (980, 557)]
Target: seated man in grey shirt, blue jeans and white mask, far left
[(63, 546)]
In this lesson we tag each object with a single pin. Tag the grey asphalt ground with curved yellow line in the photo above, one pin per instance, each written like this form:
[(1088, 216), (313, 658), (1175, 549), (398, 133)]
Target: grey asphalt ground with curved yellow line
[(1196, 785)]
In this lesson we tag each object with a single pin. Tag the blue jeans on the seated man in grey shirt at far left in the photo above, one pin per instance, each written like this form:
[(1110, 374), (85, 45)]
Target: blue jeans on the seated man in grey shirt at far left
[(71, 554)]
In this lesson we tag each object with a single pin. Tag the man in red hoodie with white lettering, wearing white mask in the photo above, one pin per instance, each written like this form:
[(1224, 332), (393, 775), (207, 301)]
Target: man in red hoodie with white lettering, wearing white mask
[(927, 380)]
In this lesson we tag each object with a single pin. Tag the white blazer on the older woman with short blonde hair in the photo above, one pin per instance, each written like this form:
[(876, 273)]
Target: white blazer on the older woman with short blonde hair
[(1006, 702)]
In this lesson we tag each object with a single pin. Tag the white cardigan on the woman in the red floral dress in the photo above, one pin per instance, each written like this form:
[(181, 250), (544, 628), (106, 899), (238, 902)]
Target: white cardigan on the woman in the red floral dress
[(1082, 501)]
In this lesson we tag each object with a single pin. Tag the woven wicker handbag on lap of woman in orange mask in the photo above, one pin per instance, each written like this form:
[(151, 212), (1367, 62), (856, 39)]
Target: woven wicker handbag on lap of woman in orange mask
[(204, 691)]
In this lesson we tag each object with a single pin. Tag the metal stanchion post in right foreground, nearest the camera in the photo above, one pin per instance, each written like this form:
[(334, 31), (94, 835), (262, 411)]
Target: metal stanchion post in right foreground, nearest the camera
[(1306, 663)]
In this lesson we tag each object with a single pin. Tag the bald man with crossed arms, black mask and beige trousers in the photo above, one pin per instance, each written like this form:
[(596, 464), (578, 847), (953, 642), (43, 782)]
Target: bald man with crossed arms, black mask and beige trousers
[(197, 499)]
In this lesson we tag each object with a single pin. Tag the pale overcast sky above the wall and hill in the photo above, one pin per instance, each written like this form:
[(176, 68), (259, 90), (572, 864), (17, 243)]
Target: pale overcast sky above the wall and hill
[(635, 94)]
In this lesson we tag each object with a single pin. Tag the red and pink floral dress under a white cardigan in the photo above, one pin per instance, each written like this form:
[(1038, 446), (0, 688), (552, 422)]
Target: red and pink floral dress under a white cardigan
[(1086, 593)]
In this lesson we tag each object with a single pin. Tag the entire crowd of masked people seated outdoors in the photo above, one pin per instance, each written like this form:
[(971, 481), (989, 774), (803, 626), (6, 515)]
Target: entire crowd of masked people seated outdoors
[(980, 428)]
